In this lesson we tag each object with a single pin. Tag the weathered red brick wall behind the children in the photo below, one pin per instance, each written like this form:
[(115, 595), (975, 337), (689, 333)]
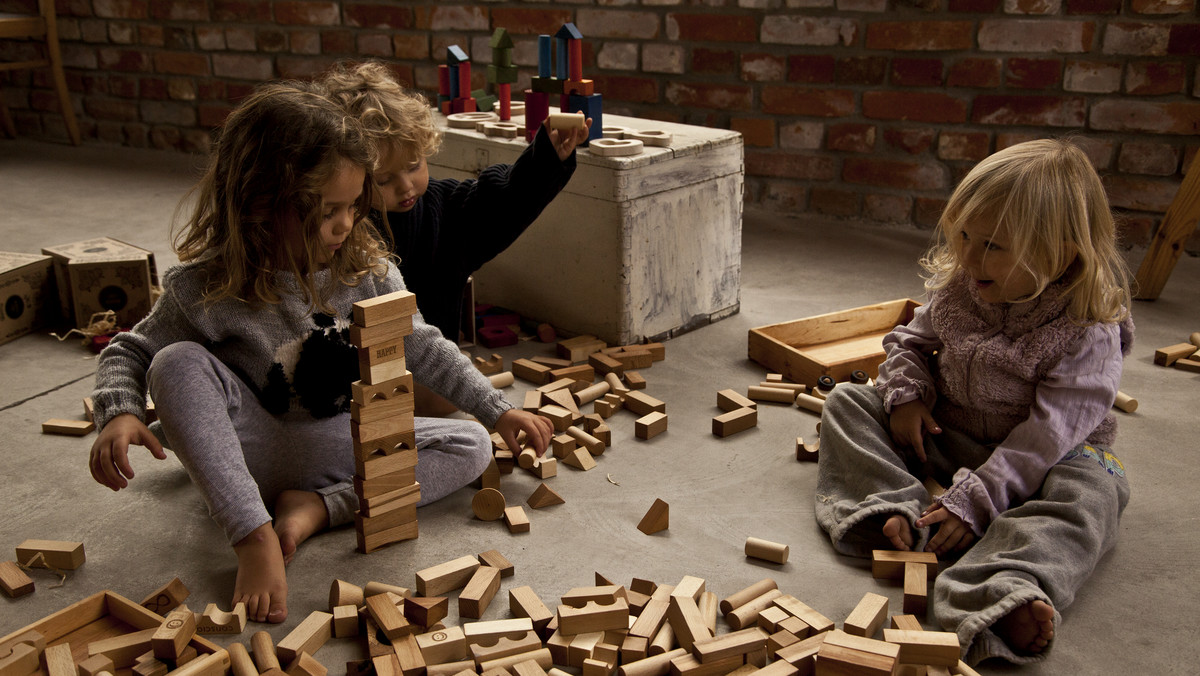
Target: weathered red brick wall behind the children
[(849, 109)]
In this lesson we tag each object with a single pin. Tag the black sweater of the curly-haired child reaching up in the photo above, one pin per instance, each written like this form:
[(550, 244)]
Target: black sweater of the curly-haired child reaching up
[(458, 226)]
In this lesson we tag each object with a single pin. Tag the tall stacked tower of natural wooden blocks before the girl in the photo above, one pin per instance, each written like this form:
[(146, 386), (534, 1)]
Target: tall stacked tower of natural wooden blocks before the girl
[(382, 423)]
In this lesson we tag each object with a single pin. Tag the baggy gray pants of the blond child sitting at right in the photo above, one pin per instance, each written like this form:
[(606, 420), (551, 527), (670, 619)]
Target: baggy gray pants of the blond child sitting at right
[(1042, 549)]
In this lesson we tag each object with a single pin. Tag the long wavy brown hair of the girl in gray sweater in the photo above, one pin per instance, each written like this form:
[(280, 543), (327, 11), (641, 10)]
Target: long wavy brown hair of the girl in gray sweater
[(259, 207)]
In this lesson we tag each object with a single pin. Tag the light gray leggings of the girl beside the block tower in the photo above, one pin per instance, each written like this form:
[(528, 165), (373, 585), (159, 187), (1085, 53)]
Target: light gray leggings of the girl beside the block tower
[(243, 458)]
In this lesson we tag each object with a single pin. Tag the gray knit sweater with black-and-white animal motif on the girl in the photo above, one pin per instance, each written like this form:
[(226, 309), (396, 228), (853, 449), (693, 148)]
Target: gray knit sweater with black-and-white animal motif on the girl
[(293, 357)]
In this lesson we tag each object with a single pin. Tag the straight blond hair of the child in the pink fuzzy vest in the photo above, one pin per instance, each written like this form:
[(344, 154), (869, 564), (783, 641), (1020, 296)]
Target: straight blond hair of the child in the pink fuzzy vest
[(1051, 204)]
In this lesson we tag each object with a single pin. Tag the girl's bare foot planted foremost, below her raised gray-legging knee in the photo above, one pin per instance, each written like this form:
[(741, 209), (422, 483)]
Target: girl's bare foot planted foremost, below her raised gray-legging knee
[(262, 583)]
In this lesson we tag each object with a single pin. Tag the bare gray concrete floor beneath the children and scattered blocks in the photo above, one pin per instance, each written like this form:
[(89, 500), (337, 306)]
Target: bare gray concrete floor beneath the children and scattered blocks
[(1136, 612)]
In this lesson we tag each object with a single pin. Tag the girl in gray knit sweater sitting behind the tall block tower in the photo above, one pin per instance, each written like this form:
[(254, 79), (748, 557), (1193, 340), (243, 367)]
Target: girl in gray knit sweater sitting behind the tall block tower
[(248, 356)]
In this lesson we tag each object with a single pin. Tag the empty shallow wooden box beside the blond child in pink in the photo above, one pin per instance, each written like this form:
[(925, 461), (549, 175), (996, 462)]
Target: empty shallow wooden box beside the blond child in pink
[(830, 345)]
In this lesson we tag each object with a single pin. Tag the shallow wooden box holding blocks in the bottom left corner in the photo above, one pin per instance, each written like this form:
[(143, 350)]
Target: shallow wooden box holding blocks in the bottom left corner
[(100, 617)]
